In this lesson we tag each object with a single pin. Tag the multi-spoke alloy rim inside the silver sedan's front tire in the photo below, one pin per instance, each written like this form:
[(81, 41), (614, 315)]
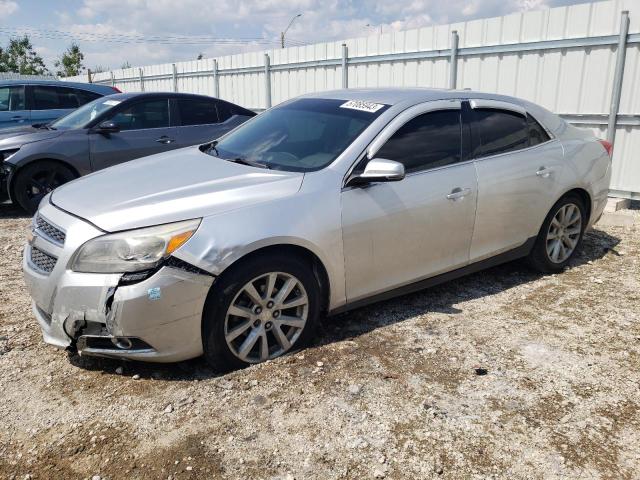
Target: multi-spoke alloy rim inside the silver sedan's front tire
[(266, 317)]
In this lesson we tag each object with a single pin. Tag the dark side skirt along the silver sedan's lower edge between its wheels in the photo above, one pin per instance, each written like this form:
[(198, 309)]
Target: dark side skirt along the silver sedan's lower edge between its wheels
[(516, 253)]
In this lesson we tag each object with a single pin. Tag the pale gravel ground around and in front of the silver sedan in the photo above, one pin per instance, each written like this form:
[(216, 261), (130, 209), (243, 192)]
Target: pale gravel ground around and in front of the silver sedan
[(502, 374)]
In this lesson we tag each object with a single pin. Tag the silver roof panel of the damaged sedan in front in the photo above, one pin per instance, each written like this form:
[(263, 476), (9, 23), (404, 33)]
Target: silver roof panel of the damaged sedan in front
[(406, 96)]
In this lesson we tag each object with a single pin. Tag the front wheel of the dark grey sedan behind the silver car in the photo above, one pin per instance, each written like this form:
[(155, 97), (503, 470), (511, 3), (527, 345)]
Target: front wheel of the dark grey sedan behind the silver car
[(36, 179)]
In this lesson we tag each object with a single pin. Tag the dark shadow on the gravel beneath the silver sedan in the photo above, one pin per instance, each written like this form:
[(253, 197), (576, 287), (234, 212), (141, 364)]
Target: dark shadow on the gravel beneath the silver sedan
[(350, 325)]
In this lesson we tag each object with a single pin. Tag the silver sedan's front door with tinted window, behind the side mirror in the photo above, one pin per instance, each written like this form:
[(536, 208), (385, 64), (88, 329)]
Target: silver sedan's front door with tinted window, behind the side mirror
[(397, 233)]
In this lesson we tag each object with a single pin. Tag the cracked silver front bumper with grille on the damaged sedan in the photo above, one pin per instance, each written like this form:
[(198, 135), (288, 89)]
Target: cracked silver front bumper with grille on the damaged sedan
[(154, 319)]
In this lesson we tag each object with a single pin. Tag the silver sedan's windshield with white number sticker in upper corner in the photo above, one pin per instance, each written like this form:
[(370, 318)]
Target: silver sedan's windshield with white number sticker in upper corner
[(304, 135)]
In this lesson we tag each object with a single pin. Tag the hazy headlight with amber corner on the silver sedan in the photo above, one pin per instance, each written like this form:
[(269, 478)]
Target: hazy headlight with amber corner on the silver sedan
[(133, 250)]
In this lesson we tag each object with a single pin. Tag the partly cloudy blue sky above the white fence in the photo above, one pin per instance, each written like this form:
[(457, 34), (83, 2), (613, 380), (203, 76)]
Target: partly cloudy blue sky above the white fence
[(145, 32)]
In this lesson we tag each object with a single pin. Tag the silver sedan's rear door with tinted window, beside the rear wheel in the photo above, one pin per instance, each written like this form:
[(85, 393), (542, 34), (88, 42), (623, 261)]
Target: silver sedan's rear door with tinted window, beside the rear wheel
[(518, 165)]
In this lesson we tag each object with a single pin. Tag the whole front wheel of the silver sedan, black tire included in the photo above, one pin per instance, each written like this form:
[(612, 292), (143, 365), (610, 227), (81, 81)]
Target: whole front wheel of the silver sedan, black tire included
[(224, 350)]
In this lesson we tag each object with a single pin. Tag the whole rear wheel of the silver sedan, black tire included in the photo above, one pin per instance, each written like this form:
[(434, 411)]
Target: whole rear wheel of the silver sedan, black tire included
[(545, 256)]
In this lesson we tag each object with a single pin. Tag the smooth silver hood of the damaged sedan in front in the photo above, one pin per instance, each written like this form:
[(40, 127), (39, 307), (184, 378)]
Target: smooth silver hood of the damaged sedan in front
[(168, 187)]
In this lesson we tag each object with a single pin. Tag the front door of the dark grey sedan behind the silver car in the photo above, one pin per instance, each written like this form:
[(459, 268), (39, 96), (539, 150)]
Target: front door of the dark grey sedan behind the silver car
[(144, 130)]
